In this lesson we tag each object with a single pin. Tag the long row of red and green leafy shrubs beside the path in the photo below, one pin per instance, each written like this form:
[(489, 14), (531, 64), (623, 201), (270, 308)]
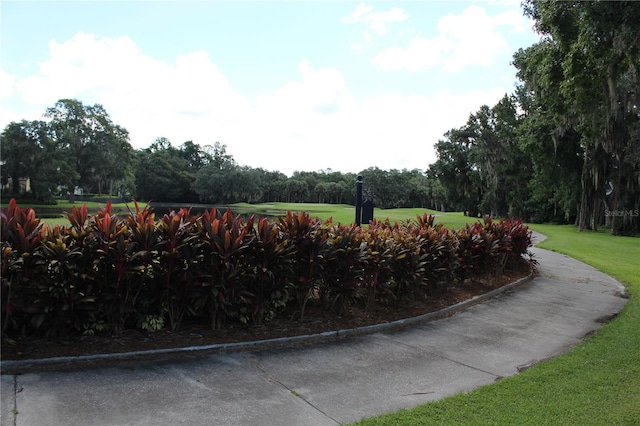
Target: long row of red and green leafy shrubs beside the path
[(105, 272)]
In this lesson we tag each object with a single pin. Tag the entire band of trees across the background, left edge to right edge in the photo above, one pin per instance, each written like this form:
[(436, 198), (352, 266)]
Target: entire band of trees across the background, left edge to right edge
[(564, 147)]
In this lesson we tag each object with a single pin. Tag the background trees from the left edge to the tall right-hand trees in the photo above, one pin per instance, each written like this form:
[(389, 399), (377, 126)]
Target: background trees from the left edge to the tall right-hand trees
[(78, 146)]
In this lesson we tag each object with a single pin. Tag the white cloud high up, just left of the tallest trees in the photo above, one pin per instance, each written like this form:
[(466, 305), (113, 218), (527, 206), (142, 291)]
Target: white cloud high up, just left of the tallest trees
[(471, 38)]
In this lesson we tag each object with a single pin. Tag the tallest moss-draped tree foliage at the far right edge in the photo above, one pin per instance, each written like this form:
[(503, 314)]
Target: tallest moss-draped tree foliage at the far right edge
[(581, 83)]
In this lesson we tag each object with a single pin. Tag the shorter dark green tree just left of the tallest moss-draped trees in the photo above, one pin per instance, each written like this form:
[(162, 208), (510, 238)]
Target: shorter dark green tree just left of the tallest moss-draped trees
[(482, 167)]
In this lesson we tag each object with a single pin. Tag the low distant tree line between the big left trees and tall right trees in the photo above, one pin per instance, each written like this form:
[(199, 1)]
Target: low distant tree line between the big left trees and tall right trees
[(208, 174)]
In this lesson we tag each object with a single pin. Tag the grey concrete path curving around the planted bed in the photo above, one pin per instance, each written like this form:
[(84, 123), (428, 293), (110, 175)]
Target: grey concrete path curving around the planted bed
[(338, 382)]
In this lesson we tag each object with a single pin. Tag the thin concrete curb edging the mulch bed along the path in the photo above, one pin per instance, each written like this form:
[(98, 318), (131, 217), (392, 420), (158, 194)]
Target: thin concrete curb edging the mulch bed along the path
[(13, 367)]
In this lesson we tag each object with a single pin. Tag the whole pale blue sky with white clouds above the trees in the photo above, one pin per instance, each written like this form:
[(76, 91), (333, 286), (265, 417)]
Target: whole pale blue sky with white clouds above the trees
[(284, 85)]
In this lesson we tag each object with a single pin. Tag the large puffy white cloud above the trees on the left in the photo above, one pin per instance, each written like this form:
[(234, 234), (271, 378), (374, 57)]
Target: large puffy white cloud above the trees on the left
[(151, 98)]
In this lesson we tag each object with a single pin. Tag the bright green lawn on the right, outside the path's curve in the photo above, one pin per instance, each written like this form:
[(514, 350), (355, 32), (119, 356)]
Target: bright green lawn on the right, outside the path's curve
[(597, 383)]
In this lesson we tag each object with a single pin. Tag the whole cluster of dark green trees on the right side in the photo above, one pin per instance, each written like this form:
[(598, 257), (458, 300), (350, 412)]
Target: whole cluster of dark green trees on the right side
[(565, 147)]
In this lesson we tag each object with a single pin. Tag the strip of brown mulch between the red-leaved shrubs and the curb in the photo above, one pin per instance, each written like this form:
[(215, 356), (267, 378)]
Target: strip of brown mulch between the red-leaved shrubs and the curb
[(316, 320)]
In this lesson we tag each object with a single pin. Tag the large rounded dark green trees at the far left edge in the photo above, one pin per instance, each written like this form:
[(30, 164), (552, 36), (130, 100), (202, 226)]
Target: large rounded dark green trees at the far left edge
[(80, 147)]
